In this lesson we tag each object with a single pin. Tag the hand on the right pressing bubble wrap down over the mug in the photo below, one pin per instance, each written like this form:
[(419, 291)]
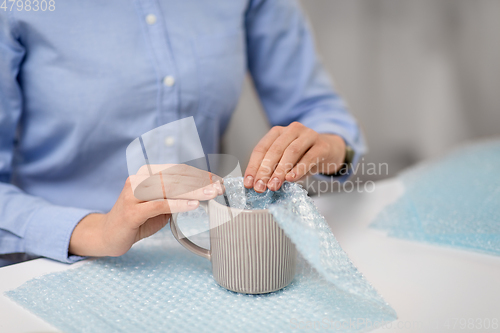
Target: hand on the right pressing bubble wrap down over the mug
[(289, 153)]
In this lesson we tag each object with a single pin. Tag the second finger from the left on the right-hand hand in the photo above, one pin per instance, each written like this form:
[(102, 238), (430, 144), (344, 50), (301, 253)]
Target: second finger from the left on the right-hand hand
[(272, 157)]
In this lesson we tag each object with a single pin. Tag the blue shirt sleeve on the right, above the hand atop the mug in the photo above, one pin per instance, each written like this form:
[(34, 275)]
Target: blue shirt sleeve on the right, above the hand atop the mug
[(288, 76)]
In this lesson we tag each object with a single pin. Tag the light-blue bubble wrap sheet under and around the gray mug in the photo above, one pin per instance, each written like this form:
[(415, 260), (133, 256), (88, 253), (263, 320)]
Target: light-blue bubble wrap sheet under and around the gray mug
[(160, 286)]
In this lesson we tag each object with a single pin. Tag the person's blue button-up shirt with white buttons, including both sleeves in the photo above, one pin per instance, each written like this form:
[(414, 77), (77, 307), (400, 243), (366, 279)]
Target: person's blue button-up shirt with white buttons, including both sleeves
[(79, 83)]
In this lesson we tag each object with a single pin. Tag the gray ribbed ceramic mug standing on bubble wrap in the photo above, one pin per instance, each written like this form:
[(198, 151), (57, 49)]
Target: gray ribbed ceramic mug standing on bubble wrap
[(249, 251)]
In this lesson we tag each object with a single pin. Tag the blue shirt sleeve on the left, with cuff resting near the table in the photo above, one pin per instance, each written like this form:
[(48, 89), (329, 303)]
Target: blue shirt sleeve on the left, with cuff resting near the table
[(28, 224)]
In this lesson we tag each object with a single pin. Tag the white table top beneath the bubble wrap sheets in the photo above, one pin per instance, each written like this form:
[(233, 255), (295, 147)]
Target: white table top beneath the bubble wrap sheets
[(430, 287)]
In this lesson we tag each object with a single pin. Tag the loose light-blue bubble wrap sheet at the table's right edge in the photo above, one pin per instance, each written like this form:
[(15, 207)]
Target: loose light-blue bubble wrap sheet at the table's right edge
[(454, 201)]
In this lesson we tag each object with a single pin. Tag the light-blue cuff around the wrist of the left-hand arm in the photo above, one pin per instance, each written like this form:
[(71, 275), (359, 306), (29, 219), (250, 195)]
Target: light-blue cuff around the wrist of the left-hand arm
[(49, 232)]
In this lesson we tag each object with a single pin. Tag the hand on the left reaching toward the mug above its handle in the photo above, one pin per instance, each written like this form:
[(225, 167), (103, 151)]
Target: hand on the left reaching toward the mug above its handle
[(160, 190)]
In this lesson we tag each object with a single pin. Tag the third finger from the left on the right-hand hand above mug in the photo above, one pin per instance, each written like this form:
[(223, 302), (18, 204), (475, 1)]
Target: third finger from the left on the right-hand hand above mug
[(293, 153)]
